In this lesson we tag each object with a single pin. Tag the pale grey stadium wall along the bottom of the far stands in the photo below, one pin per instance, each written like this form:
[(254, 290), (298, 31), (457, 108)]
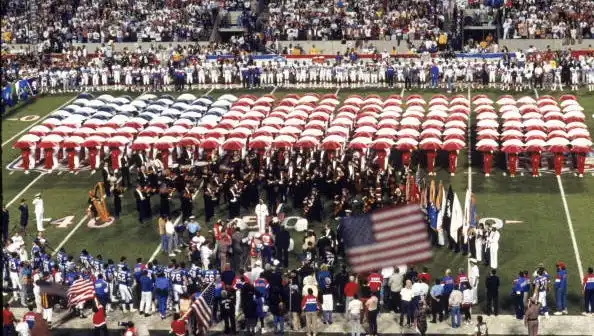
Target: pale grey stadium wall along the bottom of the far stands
[(332, 47)]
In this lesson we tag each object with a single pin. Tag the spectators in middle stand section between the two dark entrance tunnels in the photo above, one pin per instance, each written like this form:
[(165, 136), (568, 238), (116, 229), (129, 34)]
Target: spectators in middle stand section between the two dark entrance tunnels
[(354, 20)]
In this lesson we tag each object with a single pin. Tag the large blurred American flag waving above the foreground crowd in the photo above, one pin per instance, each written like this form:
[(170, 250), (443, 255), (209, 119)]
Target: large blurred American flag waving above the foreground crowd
[(388, 237)]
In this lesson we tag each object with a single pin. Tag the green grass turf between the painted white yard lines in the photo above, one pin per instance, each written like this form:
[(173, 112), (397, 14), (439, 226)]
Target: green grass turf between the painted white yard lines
[(542, 237)]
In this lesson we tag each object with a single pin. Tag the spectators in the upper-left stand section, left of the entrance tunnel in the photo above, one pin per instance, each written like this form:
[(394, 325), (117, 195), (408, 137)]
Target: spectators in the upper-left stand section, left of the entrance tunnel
[(57, 23)]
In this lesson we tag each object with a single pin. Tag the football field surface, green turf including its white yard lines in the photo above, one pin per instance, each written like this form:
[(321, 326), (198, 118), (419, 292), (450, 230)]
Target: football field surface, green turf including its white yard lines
[(551, 217)]
